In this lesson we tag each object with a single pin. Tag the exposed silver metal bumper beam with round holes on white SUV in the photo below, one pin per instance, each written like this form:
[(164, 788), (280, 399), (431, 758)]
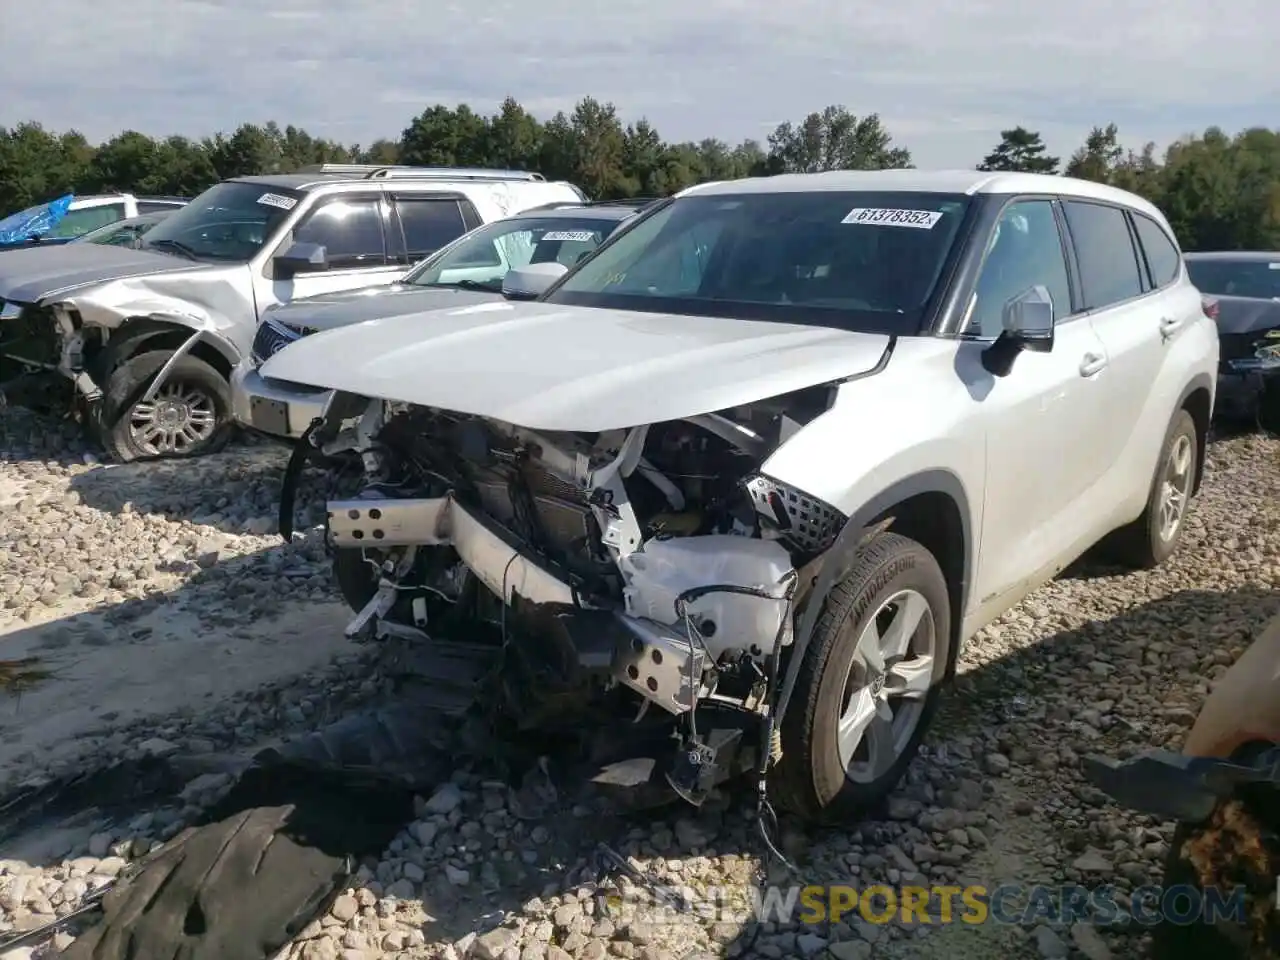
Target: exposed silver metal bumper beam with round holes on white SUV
[(655, 660)]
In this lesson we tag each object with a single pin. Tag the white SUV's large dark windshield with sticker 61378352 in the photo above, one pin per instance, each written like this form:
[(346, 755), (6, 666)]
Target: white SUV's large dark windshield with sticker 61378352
[(856, 260)]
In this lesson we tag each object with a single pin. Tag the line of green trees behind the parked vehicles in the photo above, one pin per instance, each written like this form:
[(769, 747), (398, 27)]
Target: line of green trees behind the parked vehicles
[(1219, 191)]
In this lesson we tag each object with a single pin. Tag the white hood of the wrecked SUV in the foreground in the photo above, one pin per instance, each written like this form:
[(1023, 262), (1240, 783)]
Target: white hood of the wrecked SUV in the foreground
[(554, 368)]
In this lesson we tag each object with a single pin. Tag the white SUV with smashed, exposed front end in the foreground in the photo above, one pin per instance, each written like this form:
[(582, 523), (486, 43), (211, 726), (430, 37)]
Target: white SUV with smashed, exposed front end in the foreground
[(765, 460)]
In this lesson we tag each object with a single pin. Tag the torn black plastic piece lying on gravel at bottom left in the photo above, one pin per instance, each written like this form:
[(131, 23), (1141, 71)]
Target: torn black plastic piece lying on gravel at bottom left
[(248, 884)]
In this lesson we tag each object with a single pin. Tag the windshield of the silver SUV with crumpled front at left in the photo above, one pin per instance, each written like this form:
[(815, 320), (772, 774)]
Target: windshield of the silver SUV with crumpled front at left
[(227, 222)]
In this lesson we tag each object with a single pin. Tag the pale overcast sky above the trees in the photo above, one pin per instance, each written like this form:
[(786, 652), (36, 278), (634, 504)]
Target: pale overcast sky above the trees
[(945, 76)]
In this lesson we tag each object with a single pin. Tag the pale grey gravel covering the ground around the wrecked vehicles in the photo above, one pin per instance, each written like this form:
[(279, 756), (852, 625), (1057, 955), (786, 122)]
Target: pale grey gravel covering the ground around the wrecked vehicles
[(94, 559)]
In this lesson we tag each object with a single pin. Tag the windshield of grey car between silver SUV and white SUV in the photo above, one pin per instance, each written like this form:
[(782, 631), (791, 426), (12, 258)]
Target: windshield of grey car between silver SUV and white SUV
[(483, 258)]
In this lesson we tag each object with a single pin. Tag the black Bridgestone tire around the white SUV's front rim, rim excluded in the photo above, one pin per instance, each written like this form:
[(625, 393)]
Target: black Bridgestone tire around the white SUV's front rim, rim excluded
[(811, 781)]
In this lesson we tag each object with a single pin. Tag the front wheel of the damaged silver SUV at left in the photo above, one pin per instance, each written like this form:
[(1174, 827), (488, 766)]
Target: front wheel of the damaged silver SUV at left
[(191, 415)]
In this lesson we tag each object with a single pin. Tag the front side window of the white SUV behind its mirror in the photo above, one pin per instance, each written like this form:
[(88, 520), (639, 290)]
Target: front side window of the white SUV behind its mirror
[(1026, 252)]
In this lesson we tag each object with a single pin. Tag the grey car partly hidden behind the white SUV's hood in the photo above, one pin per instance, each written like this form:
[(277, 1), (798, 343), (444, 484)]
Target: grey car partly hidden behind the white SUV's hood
[(474, 269)]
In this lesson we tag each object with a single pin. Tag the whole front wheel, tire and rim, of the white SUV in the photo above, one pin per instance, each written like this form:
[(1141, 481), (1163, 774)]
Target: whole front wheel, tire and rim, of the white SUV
[(868, 684)]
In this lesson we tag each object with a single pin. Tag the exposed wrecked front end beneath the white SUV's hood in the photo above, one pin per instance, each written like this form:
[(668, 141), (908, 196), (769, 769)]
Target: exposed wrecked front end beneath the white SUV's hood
[(575, 582)]
